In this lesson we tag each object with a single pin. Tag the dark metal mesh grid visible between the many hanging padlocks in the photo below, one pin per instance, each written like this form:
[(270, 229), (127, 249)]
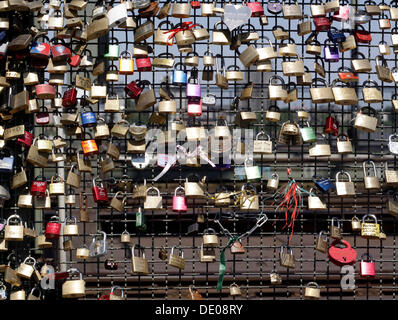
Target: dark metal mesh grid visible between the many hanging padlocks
[(251, 270)]
